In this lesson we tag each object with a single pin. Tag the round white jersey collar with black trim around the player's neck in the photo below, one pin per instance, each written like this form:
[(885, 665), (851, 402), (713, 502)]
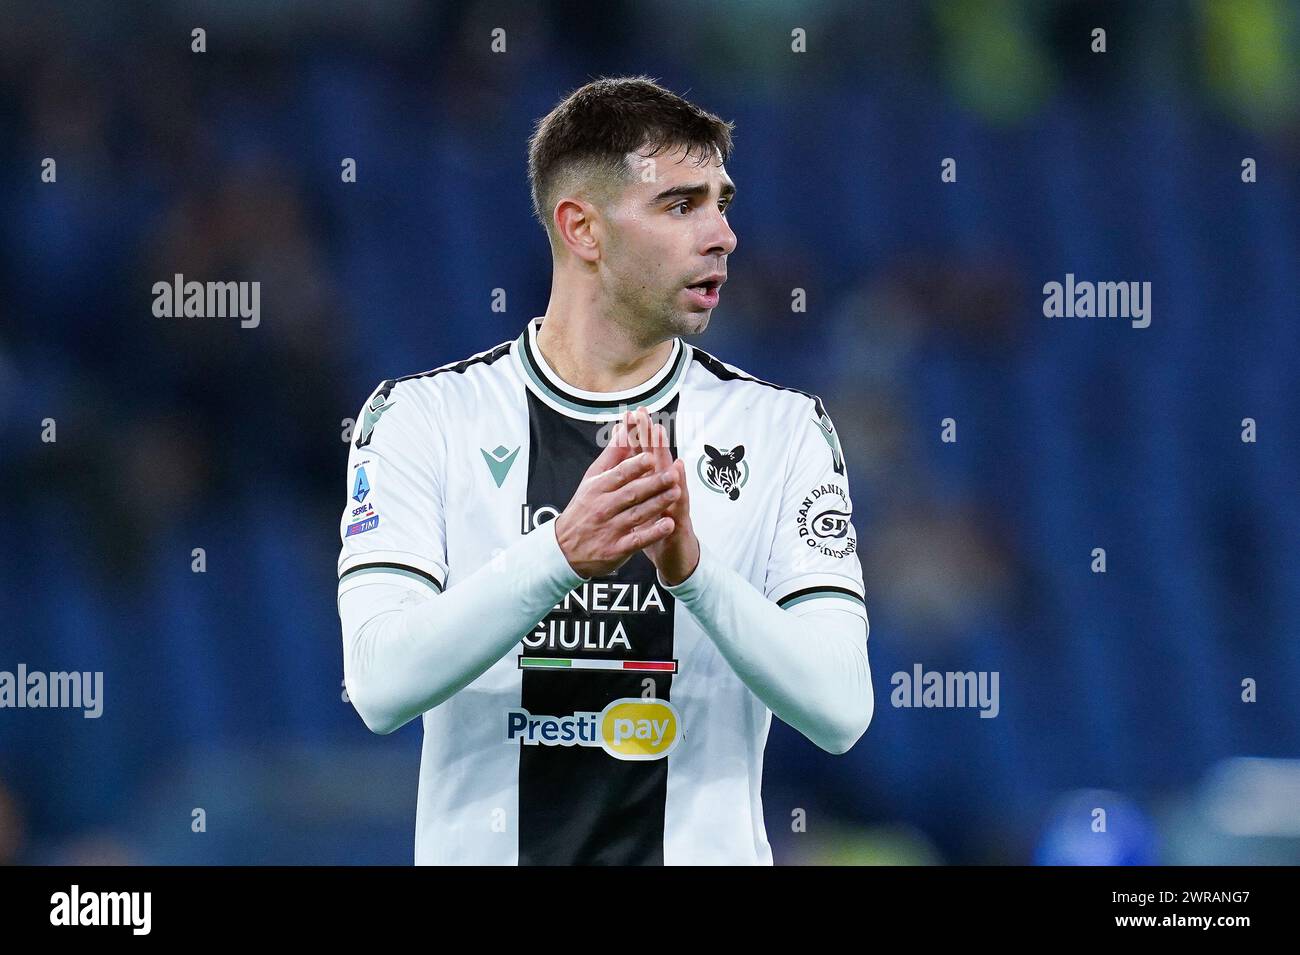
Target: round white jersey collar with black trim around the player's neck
[(597, 406)]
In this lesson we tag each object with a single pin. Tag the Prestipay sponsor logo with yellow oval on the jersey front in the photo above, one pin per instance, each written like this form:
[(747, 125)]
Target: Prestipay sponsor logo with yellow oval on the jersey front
[(629, 728)]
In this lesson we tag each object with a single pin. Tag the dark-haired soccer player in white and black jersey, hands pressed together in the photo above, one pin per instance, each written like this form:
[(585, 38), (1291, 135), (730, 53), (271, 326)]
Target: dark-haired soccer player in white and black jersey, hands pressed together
[(597, 559)]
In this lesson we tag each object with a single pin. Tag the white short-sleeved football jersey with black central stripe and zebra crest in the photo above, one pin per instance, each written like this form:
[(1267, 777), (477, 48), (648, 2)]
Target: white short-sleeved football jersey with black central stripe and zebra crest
[(541, 759)]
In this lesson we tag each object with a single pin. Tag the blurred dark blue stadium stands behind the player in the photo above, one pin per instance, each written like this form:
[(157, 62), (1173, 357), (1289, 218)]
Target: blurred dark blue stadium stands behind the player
[(223, 691)]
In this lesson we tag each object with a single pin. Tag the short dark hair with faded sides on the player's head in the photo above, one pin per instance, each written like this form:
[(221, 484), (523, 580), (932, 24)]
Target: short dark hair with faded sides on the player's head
[(591, 133)]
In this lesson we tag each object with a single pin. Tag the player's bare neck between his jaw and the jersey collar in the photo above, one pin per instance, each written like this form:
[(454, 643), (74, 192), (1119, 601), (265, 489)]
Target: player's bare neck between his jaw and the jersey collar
[(591, 350)]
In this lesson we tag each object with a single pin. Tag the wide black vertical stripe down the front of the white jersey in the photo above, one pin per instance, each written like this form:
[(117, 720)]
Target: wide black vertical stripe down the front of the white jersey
[(578, 805)]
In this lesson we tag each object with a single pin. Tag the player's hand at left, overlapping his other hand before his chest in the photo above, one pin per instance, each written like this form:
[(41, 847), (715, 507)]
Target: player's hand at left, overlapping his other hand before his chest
[(618, 509)]
